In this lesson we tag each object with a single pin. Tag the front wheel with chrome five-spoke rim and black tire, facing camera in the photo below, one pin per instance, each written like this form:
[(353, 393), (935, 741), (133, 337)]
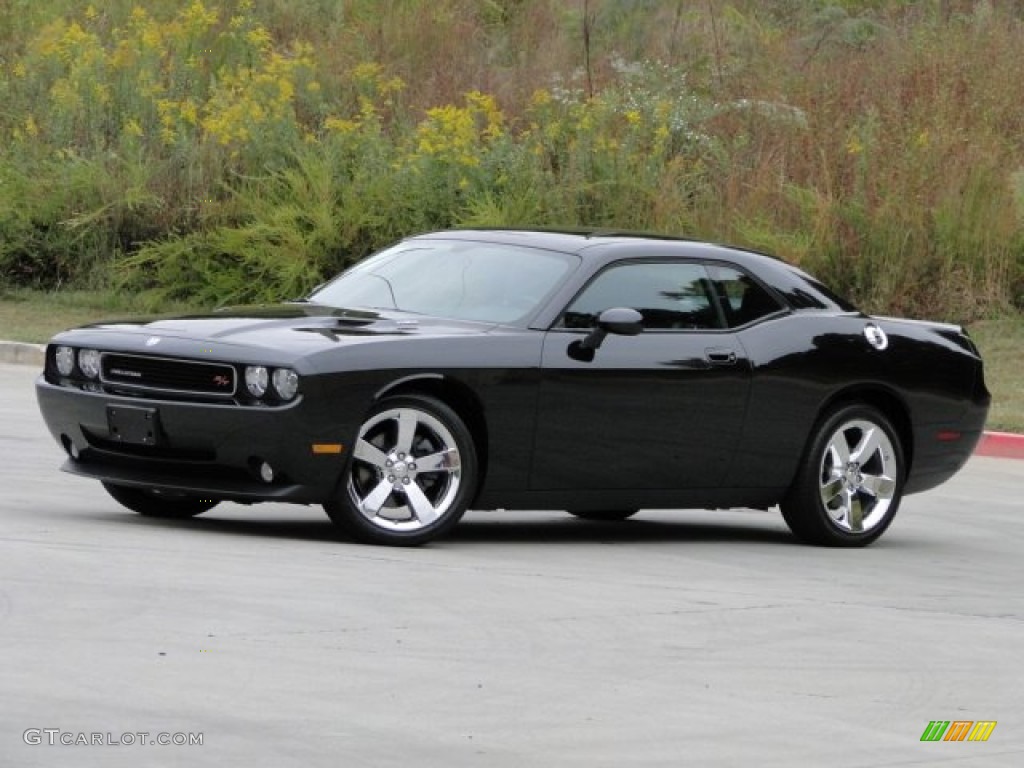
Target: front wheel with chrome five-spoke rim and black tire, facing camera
[(411, 476)]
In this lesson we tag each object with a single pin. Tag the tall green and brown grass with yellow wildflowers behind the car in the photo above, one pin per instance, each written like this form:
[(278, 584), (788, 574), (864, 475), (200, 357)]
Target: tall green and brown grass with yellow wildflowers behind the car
[(243, 150)]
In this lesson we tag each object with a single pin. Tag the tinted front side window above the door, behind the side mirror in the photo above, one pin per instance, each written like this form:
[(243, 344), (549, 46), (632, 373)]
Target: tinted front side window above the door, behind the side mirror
[(670, 296)]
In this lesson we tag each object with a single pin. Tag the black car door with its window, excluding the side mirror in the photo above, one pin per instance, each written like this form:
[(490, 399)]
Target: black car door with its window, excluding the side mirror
[(662, 410)]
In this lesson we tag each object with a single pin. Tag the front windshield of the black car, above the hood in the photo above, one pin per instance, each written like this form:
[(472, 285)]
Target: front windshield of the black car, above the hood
[(487, 282)]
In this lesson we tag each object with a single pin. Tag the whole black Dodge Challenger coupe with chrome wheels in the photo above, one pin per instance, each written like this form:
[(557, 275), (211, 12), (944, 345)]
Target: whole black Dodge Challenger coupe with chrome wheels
[(596, 372)]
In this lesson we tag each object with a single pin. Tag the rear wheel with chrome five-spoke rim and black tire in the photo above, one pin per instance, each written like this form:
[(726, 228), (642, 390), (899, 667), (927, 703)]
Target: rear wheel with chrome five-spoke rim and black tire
[(850, 483)]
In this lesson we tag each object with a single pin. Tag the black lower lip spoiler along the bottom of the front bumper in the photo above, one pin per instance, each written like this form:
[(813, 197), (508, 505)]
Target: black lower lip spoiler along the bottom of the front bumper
[(246, 492)]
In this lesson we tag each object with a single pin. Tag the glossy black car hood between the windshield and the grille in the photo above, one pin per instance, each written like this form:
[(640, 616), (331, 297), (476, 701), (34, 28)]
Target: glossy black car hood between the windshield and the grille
[(303, 328)]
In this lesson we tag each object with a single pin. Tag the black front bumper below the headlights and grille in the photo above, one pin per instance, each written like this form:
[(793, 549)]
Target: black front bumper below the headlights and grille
[(208, 449)]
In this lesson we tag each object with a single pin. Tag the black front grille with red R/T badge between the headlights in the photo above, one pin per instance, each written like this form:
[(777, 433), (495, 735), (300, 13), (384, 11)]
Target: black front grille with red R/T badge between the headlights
[(166, 375)]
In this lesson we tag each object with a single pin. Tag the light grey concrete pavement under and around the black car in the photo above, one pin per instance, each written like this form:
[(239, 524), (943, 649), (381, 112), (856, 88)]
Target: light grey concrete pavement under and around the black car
[(531, 639)]
